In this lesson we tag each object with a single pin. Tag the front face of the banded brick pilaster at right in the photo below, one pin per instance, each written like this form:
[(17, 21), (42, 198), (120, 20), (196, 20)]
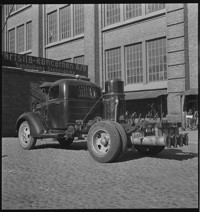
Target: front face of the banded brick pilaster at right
[(175, 59)]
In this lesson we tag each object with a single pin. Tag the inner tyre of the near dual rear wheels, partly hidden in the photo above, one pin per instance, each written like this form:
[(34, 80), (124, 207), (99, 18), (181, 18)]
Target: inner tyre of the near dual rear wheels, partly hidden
[(123, 136)]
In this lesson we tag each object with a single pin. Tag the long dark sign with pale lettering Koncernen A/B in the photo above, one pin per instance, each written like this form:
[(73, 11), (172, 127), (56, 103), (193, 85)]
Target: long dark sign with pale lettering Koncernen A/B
[(42, 64)]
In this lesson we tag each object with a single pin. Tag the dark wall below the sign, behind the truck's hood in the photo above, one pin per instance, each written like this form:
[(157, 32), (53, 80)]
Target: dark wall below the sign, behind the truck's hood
[(17, 90)]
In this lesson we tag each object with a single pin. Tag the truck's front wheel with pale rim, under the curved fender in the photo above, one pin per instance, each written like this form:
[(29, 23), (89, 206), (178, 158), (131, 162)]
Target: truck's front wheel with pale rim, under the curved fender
[(25, 139)]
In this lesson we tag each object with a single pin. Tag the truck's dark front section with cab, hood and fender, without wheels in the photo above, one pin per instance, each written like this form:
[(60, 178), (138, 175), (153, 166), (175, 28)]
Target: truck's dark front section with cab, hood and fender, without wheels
[(71, 106)]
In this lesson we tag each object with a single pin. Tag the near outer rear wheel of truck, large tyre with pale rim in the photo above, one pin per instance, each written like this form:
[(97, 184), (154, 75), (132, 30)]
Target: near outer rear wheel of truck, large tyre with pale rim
[(104, 142)]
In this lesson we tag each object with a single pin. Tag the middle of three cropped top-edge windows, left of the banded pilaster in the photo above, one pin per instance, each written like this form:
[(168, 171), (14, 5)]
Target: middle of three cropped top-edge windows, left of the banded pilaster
[(133, 10)]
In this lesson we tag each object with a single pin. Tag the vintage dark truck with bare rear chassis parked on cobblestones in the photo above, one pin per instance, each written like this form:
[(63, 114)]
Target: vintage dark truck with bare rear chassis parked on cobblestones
[(78, 108)]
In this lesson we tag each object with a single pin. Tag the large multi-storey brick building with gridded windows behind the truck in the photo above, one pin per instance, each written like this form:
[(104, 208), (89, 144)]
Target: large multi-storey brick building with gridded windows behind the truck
[(151, 47)]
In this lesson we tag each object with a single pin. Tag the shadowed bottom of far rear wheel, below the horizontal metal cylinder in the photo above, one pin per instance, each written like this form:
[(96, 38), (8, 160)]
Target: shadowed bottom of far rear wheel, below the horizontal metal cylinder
[(149, 150)]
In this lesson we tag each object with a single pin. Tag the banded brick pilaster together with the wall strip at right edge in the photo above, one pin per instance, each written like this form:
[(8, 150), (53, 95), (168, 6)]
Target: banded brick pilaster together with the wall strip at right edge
[(182, 26)]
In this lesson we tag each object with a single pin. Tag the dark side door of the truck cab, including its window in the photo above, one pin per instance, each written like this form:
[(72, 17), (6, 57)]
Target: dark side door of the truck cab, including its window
[(54, 115)]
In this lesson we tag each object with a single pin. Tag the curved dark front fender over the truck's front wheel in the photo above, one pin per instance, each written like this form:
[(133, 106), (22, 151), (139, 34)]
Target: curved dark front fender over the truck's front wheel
[(36, 123)]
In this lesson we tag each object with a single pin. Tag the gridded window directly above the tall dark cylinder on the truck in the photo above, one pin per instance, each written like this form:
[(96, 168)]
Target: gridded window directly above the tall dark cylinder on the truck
[(113, 63)]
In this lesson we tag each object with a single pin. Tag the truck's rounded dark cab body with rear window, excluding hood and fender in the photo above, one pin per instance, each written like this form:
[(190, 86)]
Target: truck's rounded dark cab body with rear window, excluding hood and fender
[(70, 100)]
